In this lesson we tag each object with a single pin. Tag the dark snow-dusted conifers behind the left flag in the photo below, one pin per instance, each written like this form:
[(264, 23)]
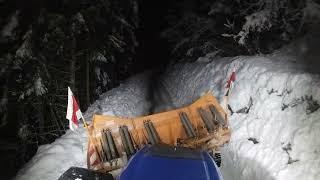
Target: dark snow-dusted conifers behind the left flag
[(49, 45)]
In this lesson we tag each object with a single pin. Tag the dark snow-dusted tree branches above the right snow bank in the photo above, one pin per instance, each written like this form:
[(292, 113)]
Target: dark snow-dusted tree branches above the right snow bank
[(229, 27)]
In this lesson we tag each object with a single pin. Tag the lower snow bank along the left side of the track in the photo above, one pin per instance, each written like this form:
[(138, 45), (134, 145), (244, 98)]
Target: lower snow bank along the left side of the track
[(50, 161)]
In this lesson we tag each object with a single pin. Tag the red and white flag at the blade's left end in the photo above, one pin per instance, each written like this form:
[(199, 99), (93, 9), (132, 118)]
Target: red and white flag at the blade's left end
[(73, 111)]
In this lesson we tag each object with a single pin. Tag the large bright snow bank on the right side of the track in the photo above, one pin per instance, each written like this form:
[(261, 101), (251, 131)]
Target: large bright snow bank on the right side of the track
[(275, 134)]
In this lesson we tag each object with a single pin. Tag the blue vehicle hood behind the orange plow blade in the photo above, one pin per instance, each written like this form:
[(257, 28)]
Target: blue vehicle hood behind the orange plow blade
[(165, 163)]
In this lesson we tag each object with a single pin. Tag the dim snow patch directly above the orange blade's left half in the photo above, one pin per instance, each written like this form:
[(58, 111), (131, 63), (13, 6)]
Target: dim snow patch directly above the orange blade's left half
[(131, 99)]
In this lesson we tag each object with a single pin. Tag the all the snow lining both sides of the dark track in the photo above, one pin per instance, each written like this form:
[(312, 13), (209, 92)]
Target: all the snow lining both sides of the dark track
[(274, 135)]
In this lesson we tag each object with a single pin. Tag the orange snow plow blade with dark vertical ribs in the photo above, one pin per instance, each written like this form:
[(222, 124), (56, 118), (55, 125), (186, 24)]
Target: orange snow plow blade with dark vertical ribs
[(201, 125)]
